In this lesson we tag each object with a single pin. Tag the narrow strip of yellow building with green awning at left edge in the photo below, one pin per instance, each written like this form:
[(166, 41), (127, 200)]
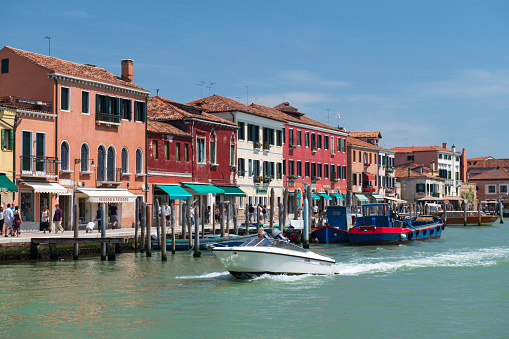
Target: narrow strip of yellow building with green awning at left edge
[(7, 187)]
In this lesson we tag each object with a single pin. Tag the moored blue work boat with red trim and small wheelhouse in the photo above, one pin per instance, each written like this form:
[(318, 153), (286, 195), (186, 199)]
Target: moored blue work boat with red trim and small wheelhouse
[(377, 226)]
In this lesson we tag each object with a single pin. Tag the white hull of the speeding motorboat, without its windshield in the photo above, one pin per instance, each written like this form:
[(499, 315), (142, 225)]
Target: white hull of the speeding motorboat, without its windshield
[(246, 261)]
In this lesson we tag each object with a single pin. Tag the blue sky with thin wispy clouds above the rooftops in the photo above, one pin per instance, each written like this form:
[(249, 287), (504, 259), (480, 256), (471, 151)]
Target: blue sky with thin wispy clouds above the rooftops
[(421, 73)]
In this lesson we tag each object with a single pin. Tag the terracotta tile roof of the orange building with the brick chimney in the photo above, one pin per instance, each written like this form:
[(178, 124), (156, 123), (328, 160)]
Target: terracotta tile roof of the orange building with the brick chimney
[(73, 69)]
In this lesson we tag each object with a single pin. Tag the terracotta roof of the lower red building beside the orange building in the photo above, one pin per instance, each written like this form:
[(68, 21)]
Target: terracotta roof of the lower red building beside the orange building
[(162, 109)]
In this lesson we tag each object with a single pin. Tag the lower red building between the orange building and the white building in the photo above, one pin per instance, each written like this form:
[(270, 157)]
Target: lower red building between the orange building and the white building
[(188, 146)]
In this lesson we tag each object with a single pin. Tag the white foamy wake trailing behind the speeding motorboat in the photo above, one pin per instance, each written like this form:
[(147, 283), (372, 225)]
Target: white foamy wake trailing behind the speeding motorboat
[(466, 258)]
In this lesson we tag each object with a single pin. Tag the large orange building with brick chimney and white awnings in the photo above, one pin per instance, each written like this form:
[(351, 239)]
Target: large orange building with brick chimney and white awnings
[(87, 148)]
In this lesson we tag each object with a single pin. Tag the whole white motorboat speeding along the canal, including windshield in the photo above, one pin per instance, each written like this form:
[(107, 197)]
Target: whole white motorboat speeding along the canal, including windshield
[(271, 256)]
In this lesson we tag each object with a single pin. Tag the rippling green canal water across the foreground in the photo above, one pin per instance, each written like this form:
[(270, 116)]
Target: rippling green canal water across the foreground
[(453, 287)]
